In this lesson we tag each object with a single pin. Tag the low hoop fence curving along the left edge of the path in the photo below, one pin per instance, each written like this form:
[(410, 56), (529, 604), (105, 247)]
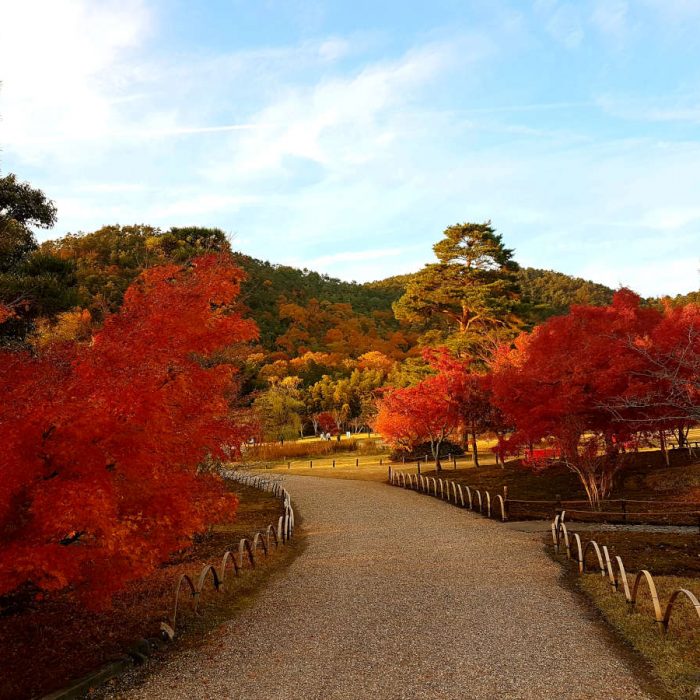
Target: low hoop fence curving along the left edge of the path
[(246, 555)]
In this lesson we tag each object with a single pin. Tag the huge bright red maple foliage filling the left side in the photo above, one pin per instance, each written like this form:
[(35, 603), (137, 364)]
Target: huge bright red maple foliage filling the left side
[(101, 472)]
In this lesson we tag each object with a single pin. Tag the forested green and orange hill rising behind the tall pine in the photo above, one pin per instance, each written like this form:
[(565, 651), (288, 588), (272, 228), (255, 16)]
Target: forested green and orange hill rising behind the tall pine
[(297, 310)]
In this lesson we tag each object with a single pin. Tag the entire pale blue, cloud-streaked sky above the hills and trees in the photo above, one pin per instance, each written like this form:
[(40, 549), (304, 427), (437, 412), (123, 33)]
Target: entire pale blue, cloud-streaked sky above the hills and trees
[(345, 136)]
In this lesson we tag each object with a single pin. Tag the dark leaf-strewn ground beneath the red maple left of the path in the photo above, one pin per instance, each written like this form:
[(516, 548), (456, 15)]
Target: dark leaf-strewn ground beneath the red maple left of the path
[(67, 641)]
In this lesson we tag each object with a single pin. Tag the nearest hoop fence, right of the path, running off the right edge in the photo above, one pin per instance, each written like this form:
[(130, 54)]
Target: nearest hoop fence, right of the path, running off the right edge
[(572, 547)]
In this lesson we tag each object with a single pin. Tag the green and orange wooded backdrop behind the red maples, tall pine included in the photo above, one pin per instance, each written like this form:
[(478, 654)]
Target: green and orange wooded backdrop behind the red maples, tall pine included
[(326, 347)]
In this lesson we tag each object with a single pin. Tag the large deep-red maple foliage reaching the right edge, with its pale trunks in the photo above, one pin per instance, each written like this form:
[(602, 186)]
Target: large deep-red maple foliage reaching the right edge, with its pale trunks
[(590, 384)]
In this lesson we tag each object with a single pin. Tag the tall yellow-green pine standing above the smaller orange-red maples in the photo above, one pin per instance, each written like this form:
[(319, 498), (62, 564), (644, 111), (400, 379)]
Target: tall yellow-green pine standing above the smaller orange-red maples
[(472, 289)]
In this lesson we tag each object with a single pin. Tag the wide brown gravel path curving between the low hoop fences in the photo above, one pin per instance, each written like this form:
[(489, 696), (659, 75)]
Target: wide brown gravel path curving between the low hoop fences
[(398, 595)]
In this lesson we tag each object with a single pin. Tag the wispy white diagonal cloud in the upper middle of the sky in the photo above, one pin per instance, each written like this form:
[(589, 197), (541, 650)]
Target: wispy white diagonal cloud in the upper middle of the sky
[(337, 122)]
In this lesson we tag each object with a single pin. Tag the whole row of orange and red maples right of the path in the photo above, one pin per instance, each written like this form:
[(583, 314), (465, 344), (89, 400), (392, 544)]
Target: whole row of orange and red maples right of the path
[(584, 388)]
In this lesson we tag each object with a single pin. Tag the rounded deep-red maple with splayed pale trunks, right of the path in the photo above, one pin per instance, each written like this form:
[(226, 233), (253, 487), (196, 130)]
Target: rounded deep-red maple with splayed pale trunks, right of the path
[(557, 384)]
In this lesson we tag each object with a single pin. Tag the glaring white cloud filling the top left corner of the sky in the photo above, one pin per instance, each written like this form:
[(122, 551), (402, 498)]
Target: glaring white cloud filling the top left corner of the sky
[(60, 69)]
